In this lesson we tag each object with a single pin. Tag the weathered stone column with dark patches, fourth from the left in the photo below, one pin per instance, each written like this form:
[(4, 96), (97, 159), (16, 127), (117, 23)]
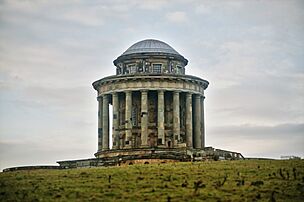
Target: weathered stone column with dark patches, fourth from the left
[(128, 122)]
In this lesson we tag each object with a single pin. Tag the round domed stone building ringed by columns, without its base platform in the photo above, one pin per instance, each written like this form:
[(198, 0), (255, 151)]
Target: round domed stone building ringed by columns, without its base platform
[(155, 103)]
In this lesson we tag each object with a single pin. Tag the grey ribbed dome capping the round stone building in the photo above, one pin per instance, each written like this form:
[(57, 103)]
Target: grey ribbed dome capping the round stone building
[(150, 46)]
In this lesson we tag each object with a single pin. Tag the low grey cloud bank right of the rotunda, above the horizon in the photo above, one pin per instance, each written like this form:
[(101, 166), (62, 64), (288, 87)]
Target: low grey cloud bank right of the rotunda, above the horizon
[(258, 140)]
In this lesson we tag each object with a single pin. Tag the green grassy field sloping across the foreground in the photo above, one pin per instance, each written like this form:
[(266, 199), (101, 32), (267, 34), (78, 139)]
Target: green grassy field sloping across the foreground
[(248, 180)]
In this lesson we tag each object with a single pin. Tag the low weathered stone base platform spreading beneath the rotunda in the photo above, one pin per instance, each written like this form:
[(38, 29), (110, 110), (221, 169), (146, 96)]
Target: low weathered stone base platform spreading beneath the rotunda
[(151, 155)]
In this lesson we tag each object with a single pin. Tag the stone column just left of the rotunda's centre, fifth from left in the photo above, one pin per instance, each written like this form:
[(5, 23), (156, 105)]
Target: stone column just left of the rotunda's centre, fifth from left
[(144, 118)]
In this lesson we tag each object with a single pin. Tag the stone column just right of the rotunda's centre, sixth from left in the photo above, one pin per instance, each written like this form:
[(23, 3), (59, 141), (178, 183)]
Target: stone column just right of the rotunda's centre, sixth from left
[(160, 118)]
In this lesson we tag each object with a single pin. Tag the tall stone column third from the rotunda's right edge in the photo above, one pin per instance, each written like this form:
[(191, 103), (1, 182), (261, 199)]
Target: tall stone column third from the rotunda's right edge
[(189, 120)]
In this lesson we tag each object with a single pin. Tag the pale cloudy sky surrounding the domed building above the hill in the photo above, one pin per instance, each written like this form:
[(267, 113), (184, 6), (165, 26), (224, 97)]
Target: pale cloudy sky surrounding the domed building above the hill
[(251, 52)]
